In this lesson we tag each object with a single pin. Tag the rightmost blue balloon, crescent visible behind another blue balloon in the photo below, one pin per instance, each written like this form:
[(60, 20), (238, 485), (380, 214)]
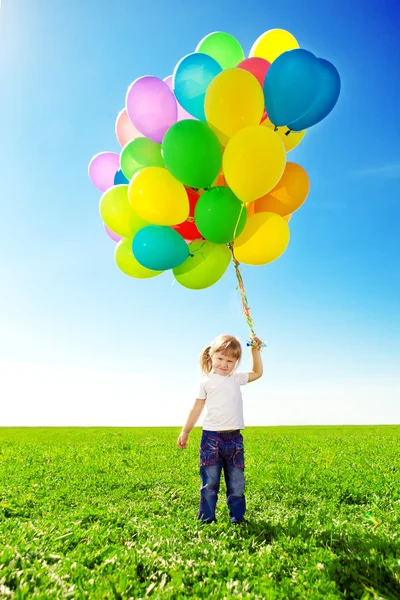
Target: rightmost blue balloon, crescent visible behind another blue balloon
[(328, 94)]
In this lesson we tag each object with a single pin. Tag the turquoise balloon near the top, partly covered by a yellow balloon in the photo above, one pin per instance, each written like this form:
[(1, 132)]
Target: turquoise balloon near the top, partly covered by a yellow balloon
[(191, 78)]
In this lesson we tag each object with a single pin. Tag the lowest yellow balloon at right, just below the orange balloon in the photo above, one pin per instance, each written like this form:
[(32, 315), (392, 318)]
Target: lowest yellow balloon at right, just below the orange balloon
[(264, 238)]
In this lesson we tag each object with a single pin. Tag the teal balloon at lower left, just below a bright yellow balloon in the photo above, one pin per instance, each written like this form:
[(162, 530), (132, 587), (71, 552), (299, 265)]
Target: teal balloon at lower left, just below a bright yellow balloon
[(159, 248)]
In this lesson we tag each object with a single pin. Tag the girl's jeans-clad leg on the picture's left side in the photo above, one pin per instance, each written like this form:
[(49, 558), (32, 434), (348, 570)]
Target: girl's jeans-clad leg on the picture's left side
[(210, 473)]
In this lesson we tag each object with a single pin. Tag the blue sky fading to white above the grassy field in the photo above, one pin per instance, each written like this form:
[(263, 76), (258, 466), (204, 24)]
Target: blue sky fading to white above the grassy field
[(80, 342)]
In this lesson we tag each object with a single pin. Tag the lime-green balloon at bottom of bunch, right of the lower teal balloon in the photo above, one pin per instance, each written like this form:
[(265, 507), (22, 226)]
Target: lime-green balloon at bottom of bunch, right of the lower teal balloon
[(207, 265)]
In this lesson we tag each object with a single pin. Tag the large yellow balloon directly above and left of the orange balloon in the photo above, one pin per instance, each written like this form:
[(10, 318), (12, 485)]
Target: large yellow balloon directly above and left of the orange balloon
[(253, 162)]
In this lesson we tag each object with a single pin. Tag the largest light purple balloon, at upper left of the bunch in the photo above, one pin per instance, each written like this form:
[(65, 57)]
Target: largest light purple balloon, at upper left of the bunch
[(151, 107)]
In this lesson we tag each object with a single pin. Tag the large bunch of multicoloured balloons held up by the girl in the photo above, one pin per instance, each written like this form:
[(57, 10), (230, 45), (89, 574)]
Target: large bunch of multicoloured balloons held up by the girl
[(203, 170)]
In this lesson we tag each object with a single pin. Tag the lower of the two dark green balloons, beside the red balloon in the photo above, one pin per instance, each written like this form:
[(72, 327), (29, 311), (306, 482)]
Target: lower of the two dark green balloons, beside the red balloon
[(219, 215)]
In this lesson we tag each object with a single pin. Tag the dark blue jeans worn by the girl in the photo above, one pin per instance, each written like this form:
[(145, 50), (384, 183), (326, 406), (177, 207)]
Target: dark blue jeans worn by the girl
[(221, 450)]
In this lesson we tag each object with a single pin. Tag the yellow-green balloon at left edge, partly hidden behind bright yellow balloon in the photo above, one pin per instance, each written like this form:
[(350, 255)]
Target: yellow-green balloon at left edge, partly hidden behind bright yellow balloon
[(117, 213)]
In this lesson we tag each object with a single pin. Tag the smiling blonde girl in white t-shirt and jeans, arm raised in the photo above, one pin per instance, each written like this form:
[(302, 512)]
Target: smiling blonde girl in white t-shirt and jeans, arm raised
[(221, 446)]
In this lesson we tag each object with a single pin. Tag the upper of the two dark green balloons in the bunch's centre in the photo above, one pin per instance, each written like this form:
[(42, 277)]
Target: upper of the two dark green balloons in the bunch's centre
[(192, 153)]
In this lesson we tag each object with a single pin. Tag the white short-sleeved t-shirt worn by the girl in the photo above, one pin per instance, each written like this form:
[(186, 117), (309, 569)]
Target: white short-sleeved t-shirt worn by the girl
[(224, 402)]
